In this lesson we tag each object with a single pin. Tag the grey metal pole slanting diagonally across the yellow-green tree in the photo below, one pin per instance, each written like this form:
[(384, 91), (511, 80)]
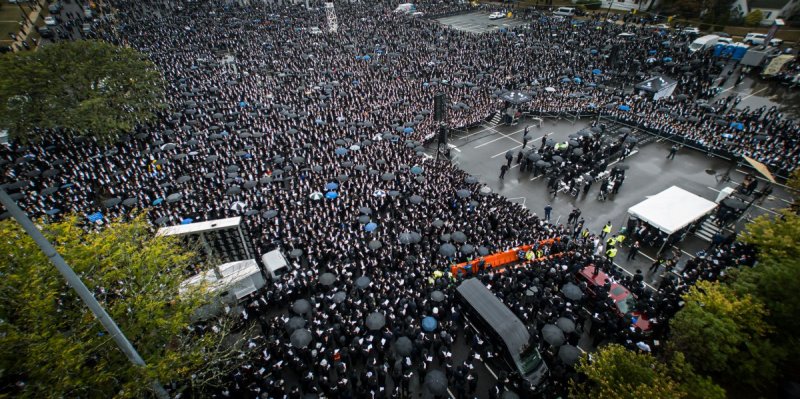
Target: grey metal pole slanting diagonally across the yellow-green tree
[(75, 282)]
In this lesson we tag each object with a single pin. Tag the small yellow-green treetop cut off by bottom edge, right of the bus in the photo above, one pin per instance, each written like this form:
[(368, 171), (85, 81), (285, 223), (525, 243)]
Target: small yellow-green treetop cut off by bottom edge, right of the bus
[(617, 373)]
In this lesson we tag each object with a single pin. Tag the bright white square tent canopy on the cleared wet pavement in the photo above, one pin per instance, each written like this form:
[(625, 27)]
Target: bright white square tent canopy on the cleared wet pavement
[(672, 209)]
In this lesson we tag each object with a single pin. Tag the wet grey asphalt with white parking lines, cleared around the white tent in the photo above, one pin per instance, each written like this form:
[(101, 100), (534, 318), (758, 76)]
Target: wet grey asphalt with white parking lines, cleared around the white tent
[(481, 152)]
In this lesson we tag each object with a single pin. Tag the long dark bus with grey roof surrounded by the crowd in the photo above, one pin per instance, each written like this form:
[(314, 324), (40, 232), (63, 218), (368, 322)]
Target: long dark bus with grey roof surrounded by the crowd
[(504, 329)]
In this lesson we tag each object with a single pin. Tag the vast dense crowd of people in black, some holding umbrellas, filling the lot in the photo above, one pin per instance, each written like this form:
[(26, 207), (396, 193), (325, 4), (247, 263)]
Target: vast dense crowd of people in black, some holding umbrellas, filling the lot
[(291, 112)]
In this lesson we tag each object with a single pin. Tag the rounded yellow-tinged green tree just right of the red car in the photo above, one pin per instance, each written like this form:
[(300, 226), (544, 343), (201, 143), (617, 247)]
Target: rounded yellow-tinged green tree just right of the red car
[(724, 334)]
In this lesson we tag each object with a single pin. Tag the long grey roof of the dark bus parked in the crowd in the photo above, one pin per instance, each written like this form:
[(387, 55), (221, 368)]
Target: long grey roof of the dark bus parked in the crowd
[(495, 313)]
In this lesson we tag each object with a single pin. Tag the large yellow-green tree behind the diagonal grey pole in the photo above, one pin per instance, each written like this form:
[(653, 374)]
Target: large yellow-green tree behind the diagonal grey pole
[(51, 341)]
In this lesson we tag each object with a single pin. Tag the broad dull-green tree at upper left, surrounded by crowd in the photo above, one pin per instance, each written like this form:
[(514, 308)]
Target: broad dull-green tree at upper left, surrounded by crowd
[(89, 87)]
